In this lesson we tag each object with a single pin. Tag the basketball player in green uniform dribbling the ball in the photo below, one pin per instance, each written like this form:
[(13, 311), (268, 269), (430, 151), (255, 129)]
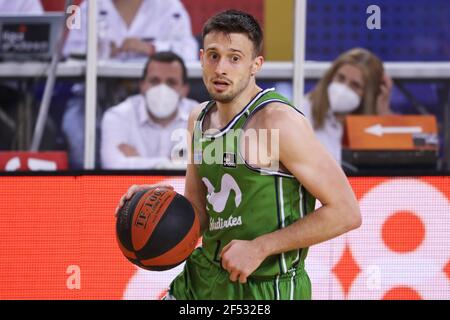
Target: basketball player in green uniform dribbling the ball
[(257, 212)]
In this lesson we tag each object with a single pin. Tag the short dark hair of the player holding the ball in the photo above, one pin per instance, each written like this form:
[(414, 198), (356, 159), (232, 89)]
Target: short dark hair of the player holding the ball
[(234, 21)]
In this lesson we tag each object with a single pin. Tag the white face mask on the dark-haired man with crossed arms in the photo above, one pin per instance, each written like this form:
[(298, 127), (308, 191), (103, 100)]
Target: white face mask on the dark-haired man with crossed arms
[(162, 101)]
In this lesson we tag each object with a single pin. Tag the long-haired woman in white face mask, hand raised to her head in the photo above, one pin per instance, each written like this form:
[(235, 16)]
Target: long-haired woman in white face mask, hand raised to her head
[(354, 84)]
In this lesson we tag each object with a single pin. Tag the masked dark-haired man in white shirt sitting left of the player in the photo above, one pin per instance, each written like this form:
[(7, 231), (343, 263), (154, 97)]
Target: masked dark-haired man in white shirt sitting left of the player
[(137, 133)]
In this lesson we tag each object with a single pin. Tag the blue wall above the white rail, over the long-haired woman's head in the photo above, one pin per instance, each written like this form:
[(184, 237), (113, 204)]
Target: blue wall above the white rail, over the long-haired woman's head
[(411, 30)]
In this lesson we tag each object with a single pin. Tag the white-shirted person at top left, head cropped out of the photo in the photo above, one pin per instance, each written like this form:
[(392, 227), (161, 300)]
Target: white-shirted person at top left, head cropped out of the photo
[(139, 28)]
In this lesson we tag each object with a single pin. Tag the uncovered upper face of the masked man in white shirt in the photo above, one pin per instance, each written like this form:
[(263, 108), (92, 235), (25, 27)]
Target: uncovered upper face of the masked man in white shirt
[(169, 73)]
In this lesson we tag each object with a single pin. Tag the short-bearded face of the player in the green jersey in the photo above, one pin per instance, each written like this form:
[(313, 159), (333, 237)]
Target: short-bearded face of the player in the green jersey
[(229, 63)]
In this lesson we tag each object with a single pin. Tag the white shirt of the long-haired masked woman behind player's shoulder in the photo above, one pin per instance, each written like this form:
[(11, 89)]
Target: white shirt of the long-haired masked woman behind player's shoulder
[(330, 135)]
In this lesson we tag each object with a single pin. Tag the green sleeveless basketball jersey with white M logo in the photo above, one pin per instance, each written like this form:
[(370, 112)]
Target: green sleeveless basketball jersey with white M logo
[(244, 202)]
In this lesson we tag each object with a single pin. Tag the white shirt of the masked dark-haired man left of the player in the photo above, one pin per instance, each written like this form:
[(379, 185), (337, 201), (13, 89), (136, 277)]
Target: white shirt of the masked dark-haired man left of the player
[(129, 123)]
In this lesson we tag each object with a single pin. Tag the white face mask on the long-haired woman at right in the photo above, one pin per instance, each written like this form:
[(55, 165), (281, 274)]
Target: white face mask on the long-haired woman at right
[(342, 98)]
